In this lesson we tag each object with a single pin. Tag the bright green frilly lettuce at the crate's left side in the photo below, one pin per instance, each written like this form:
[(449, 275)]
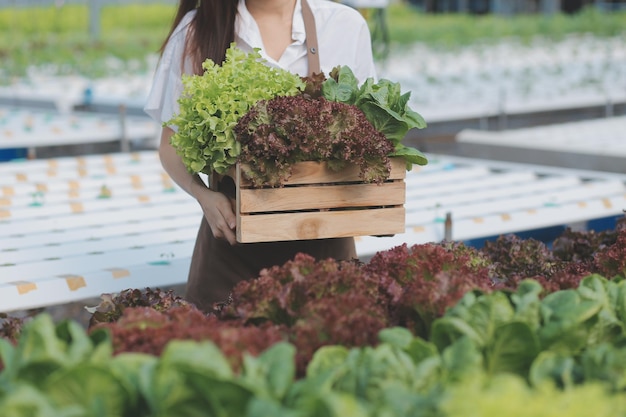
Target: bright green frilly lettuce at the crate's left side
[(212, 103)]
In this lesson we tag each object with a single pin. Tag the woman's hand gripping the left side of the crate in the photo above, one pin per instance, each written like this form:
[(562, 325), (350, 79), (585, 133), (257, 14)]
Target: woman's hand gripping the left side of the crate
[(219, 212)]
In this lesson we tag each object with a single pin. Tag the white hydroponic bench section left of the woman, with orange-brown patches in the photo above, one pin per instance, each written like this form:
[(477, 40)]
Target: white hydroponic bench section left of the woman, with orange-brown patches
[(77, 227)]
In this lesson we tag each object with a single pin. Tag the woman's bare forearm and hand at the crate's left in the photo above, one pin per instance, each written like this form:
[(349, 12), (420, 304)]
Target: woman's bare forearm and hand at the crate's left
[(217, 208)]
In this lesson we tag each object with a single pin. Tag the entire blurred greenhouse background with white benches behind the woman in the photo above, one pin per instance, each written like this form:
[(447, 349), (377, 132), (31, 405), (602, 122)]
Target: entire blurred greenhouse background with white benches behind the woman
[(539, 83)]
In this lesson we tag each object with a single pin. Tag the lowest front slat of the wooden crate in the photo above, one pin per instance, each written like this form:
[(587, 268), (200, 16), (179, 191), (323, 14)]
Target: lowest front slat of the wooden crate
[(319, 225)]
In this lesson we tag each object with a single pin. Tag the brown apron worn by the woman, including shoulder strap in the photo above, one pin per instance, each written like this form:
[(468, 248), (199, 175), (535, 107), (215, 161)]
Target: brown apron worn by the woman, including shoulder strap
[(217, 266)]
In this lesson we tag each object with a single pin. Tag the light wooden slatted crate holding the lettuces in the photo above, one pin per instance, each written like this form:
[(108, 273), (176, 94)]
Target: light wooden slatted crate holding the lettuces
[(317, 203)]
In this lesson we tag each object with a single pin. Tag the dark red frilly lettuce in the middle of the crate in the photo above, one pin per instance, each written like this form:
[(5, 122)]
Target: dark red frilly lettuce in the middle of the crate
[(277, 133)]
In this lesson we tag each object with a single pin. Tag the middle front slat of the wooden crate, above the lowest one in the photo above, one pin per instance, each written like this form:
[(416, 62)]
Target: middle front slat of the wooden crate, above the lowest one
[(321, 197)]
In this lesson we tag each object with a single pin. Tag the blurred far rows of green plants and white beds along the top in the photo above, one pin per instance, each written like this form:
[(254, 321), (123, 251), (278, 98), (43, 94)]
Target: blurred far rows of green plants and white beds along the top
[(485, 64)]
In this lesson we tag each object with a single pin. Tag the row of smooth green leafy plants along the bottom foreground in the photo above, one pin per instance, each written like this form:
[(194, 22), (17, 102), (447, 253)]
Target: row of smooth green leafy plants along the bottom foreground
[(512, 354)]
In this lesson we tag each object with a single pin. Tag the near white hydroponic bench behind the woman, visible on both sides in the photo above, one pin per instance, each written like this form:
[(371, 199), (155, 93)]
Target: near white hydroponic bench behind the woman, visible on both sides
[(73, 228)]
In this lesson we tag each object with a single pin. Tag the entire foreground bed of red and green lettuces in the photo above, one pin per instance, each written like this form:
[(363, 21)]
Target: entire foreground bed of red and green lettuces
[(428, 330)]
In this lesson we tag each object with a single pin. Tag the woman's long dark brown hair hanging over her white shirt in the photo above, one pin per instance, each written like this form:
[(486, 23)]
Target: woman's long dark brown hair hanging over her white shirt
[(212, 29)]
